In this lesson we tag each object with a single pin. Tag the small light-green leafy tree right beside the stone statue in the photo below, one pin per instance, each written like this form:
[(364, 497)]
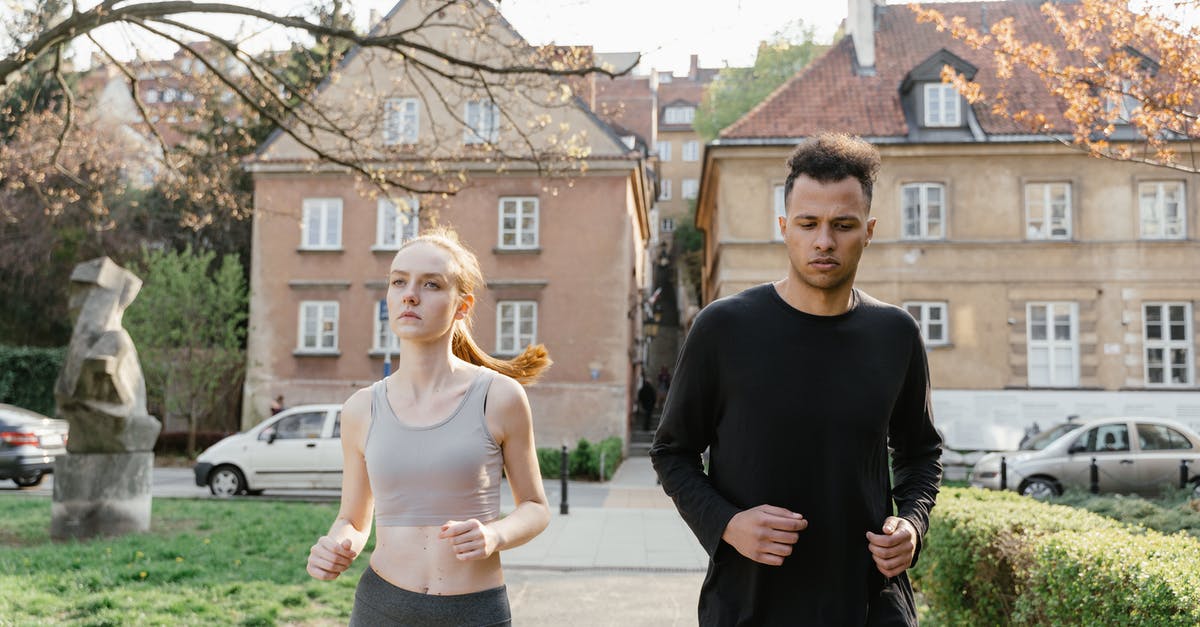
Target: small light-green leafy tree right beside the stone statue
[(189, 324)]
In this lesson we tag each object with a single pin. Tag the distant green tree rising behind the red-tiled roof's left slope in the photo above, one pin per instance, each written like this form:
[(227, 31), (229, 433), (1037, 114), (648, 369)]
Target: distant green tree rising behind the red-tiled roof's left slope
[(736, 91)]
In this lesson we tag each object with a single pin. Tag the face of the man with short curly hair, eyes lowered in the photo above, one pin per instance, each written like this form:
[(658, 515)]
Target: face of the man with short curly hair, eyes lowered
[(826, 230)]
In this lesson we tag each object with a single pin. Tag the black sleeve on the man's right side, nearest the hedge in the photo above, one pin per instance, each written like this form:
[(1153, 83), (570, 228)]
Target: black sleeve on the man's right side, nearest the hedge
[(916, 447)]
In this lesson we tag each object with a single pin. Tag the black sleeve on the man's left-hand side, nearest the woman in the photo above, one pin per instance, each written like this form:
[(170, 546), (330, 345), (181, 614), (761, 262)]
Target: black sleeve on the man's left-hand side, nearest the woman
[(689, 422)]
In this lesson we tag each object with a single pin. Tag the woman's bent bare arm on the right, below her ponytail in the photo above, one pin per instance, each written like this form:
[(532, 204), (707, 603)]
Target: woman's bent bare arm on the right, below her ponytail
[(508, 410)]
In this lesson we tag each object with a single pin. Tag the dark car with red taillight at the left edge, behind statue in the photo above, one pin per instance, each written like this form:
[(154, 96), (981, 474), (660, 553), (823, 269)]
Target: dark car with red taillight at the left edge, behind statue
[(29, 443)]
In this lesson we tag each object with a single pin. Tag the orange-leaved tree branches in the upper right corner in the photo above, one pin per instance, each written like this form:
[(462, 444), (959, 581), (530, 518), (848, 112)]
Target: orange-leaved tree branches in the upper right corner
[(1111, 68)]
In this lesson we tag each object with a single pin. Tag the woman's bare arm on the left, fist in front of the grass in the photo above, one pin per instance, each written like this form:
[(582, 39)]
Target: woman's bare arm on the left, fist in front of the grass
[(334, 552)]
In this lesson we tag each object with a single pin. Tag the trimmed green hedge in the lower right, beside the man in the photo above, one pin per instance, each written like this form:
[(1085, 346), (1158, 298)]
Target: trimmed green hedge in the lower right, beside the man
[(1003, 559)]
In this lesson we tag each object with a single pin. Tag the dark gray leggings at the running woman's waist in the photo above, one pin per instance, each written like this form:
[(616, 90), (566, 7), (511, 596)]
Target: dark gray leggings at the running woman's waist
[(379, 604)]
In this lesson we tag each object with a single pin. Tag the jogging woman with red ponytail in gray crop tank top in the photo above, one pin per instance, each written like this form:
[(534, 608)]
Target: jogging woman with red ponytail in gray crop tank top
[(423, 451)]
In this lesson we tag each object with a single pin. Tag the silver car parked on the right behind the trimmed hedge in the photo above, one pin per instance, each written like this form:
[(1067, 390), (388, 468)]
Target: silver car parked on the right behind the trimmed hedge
[(1132, 455)]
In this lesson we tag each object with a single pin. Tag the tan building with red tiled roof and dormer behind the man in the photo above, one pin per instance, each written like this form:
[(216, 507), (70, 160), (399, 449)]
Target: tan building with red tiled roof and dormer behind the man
[(1047, 283)]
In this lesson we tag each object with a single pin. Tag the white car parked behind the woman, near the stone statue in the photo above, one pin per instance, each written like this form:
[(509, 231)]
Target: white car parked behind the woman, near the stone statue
[(297, 449)]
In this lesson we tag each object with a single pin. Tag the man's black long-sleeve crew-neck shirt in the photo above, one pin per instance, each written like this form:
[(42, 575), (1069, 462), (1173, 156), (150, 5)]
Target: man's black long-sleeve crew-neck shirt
[(799, 411)]
